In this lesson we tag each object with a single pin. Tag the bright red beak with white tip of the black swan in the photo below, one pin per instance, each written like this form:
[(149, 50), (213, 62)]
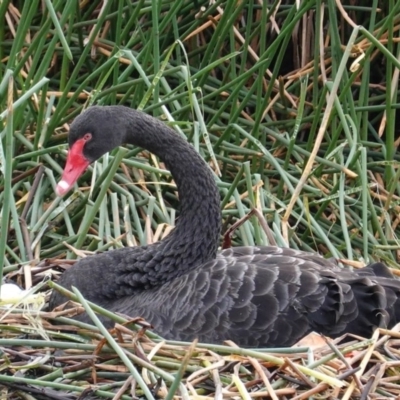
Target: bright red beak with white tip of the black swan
[(74, 168)]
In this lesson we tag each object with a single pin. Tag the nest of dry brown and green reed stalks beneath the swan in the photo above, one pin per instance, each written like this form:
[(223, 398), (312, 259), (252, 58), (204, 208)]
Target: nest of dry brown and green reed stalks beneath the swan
[(51, 356)]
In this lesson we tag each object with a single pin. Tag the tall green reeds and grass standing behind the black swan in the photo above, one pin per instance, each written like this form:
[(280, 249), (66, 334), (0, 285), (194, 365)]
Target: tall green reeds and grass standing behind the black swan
[(294, 107)]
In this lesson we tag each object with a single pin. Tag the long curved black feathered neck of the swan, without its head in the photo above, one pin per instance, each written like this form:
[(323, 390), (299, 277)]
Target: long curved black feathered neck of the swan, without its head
[(195, 238)]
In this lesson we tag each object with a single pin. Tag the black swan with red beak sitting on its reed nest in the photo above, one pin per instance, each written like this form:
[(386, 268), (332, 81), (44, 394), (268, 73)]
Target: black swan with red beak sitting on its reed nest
[(255, 296)]
